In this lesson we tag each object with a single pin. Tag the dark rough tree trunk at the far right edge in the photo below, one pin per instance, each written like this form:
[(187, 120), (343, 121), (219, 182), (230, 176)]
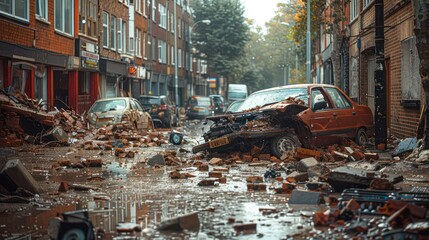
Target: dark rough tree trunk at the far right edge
[(421, 30)]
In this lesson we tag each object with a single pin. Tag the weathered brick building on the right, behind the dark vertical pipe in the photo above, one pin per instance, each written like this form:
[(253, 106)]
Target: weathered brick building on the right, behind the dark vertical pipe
[(404, 92)]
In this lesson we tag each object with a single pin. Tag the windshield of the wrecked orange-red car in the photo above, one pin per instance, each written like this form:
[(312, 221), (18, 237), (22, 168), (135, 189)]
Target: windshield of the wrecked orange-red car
[(273, 96)]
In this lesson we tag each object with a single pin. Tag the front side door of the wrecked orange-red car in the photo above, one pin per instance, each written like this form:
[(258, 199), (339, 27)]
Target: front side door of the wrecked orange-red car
[(323, 117)]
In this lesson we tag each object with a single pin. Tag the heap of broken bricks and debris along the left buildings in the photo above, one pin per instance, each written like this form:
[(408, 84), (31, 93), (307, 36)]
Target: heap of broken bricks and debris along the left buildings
[(23, 119)]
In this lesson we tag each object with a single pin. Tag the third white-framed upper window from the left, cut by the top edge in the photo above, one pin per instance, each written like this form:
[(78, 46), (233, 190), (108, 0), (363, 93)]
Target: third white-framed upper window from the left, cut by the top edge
[(64, 16)]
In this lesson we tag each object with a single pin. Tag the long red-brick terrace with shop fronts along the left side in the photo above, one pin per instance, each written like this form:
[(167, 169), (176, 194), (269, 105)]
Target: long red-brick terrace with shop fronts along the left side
[(71, 53)]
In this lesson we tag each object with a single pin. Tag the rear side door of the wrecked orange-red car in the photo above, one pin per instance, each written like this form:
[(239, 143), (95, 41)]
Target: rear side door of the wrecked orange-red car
[(345, 114)]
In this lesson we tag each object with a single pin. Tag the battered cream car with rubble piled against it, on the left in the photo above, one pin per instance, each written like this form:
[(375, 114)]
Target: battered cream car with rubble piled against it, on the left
[(120, 110)]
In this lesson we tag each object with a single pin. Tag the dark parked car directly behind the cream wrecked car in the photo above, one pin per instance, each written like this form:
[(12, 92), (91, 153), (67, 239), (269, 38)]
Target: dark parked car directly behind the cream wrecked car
[(161, 109)]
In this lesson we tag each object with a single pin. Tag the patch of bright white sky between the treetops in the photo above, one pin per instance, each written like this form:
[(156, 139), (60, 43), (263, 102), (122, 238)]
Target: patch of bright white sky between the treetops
[(260, 11)]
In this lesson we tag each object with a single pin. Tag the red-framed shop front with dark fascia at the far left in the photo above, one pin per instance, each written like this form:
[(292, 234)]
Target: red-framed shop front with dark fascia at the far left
[(32, 72)]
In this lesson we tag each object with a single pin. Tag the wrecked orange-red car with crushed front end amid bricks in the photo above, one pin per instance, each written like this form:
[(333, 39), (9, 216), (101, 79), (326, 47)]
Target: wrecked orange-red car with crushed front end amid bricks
[(283, 118)]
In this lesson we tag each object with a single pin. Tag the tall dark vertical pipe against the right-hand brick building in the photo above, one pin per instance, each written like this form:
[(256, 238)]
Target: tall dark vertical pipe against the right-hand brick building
[(380, 79)]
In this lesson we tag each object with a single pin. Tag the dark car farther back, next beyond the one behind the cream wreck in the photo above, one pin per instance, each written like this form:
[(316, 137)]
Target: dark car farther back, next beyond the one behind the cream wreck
[(199, 107)]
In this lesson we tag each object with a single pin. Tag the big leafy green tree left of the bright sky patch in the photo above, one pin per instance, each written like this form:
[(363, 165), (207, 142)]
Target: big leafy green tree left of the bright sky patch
[(221, 43)]
